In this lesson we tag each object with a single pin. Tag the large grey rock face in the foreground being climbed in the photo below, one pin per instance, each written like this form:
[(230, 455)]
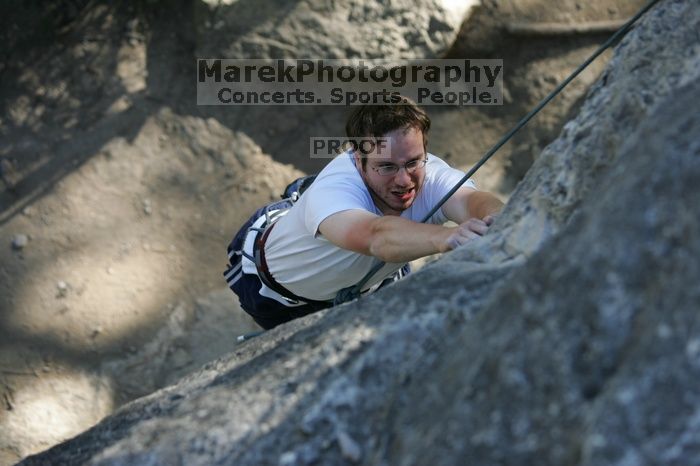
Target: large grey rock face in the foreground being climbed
[(568, 335)]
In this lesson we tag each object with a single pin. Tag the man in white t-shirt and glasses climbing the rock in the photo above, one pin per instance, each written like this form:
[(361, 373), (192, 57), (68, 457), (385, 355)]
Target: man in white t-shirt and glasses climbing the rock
[(363, 208)]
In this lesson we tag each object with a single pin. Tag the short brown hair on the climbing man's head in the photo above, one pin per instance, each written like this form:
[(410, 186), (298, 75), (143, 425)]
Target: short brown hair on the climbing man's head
[(378, 120)]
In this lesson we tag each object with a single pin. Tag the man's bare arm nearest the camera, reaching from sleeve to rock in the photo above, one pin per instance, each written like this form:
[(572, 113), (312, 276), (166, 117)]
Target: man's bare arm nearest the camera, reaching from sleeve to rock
[(392, 238)]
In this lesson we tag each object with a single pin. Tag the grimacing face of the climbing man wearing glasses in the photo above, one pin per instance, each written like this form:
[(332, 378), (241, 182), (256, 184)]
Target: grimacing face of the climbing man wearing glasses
[(395, 193)]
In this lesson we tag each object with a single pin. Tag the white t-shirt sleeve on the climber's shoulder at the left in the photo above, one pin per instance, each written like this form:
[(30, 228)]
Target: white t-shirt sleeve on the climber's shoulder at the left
[(330, 196)]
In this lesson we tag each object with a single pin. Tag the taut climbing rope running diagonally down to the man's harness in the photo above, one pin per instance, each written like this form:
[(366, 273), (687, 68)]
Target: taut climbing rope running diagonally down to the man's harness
[(353, 292)]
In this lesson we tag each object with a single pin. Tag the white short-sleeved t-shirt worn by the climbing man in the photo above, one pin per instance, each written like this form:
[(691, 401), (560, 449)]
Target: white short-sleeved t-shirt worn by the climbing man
[(306, 263)]
